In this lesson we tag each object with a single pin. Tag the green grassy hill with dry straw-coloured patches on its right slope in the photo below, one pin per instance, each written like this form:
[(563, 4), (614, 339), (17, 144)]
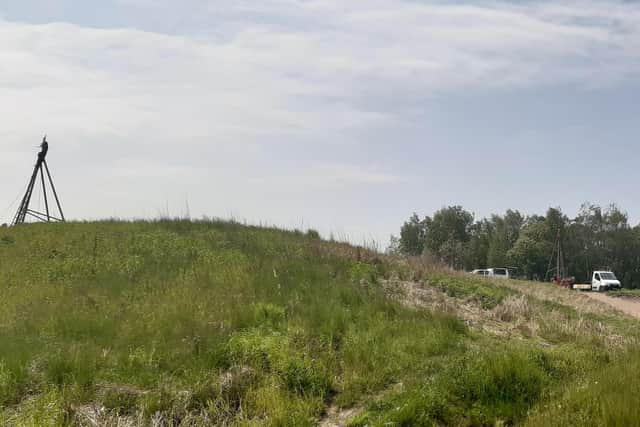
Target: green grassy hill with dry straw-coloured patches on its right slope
[(213, 323)]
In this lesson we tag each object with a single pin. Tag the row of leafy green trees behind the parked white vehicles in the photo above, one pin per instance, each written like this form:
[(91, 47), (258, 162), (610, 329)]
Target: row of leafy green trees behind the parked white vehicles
[(597, 238)]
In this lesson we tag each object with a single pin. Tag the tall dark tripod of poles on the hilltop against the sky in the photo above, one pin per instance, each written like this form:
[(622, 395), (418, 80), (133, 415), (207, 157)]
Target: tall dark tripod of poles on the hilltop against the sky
[(39, 170)]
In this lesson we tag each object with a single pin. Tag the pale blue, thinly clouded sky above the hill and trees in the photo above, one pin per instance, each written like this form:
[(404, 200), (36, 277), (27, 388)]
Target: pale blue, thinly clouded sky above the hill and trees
[(342, 116)]
